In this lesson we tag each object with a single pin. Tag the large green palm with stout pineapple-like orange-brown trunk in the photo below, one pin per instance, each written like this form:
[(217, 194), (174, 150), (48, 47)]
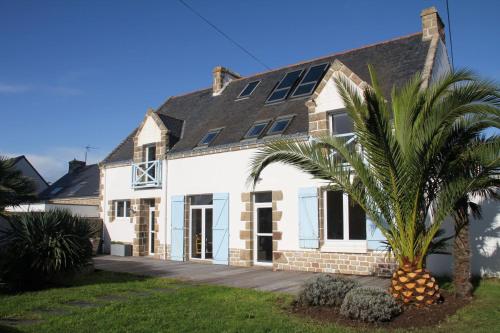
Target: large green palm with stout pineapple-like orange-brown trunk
[(396, 171)]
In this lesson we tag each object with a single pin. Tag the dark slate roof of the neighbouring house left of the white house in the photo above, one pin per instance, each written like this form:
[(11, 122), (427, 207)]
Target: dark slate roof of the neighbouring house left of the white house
[(83, 182)]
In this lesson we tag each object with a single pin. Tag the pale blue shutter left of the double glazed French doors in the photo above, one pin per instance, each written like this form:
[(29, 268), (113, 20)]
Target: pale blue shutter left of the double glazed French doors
[(177, 234)]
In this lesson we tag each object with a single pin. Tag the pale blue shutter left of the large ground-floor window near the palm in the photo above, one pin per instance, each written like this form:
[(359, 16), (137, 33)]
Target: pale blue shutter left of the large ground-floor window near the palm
[(308, 218)]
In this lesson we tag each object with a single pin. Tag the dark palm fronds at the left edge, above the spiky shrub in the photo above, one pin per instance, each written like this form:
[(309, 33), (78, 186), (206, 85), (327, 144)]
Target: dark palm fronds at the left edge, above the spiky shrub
[(14, 187)]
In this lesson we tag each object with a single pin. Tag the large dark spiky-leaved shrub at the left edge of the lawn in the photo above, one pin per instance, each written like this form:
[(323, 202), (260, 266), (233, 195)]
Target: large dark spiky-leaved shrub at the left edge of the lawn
[(39, 247)]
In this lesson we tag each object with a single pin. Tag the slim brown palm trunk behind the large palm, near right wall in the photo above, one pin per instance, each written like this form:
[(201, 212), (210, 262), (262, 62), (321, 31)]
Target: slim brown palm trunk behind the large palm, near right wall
[(461, 257)]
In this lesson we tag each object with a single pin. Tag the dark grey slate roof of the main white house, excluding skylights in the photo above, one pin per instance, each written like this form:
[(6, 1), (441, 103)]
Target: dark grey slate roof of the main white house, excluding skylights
[(395, 61)]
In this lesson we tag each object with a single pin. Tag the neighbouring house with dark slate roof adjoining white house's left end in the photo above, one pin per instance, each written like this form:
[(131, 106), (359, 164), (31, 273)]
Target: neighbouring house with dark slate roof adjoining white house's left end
[(77, 191)]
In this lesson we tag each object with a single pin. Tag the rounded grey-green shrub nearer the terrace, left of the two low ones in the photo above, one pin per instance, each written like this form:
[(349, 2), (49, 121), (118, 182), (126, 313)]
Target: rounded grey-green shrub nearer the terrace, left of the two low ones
[(326, 290)]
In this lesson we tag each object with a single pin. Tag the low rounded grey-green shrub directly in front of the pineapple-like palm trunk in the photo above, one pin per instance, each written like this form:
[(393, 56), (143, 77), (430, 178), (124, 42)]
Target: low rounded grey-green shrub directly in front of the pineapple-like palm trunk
[(370, 304)]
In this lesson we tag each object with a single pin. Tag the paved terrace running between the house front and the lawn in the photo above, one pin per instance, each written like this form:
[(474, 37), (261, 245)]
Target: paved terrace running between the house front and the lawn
[(260, 278)]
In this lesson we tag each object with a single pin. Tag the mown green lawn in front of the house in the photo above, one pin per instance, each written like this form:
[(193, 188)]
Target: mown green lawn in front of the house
[(125, 303)]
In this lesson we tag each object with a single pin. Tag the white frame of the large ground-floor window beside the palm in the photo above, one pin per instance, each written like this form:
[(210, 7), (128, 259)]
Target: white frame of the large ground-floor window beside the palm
[(345, 244)]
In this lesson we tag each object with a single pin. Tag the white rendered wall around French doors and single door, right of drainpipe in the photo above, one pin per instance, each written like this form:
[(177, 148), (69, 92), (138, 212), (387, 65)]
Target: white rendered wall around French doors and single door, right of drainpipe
[(227, 173)]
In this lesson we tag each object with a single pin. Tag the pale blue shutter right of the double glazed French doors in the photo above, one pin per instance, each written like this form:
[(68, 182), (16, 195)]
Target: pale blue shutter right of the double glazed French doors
[(220, 229)]
